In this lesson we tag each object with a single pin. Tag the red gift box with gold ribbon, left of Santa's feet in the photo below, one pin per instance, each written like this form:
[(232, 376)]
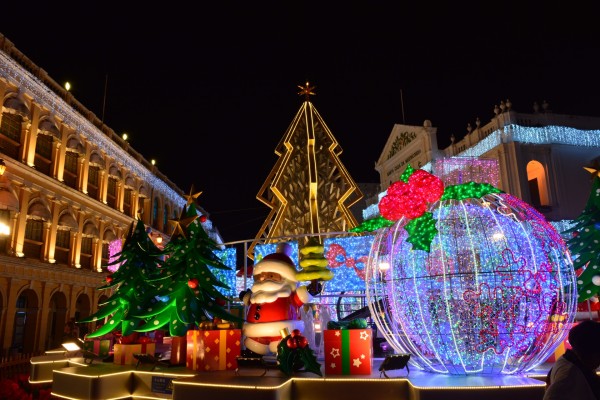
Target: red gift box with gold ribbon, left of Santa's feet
[(213, 350)]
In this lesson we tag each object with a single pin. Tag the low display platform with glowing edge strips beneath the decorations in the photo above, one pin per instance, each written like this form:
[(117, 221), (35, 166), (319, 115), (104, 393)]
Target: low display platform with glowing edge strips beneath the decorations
[(72, 378)]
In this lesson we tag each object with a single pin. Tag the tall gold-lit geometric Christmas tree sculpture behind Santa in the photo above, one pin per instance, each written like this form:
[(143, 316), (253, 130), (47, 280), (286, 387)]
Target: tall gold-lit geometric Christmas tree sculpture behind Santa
[(308, 190)]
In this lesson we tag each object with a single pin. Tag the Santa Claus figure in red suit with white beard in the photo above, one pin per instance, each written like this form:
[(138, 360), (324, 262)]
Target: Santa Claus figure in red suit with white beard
[(273, 302)]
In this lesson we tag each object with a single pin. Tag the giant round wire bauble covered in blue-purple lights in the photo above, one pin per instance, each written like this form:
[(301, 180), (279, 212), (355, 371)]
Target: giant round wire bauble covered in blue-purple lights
[(495, 294)]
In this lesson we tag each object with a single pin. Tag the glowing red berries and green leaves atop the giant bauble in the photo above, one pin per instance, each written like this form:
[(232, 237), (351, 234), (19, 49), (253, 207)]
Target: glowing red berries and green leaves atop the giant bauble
[(410, 198)]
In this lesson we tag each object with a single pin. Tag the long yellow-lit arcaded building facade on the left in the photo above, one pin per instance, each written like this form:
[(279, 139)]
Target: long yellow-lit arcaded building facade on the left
[(71, 187)]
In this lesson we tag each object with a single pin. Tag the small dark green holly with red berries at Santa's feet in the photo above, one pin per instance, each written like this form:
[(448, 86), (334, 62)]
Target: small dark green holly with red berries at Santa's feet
[(293, 353)]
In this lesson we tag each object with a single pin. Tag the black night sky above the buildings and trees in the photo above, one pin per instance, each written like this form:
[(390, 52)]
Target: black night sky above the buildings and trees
[(209, 88)]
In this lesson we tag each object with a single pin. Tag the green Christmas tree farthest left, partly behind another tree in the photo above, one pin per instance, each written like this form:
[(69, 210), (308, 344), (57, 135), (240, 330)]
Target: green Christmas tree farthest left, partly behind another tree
[(140, 262)]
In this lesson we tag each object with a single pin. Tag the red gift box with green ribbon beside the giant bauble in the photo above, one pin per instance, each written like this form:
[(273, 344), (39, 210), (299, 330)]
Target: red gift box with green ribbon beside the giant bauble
[(348, 351)]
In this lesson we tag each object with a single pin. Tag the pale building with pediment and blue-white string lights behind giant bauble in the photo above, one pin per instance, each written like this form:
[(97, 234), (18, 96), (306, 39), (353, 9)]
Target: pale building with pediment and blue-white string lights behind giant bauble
[(541, 156)]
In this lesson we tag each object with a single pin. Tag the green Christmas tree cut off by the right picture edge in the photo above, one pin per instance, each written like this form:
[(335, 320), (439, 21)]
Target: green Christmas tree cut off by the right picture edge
[(585, 242)]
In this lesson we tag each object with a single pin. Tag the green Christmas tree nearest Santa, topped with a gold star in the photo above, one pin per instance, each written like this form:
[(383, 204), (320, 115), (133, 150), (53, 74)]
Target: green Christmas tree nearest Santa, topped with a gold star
[(187, 291)]
